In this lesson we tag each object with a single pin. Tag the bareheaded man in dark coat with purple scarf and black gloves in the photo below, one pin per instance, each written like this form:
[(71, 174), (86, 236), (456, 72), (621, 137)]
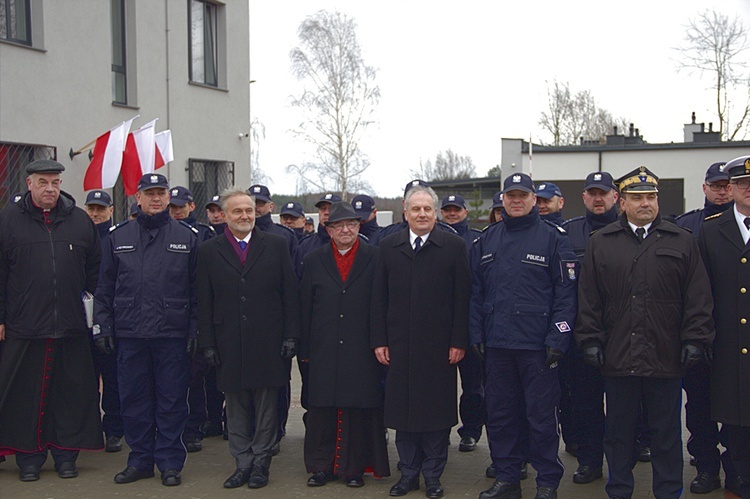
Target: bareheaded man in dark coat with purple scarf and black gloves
[(249, 327)]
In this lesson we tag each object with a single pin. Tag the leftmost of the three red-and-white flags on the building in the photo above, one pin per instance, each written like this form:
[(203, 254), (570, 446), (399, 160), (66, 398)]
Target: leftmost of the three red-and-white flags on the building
[(105, 166)]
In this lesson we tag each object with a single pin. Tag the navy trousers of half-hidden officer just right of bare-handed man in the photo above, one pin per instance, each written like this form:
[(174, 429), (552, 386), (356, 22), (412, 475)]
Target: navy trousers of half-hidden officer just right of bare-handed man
[(471, 404)]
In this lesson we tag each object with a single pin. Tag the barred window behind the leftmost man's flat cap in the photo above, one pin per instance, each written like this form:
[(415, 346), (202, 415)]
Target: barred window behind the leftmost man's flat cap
[(13, 160)]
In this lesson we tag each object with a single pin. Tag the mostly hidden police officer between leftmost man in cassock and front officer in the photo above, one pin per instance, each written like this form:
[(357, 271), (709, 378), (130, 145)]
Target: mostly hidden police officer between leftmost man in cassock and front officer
[(99, 208)]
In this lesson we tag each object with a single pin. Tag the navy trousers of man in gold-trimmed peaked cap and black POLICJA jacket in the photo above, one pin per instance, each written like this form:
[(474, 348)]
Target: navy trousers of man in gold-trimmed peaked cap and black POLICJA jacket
[(661, 399)]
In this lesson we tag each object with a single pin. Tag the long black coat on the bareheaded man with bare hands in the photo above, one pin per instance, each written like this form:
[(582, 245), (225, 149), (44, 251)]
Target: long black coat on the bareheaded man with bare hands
[(420, 309)]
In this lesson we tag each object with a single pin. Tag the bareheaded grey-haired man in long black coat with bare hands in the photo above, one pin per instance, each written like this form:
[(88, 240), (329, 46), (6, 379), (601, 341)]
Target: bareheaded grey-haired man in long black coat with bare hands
[(419, 328)]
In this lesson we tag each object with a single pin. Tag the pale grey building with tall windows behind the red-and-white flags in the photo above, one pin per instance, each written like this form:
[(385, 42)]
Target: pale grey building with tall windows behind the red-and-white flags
[(70, 71)]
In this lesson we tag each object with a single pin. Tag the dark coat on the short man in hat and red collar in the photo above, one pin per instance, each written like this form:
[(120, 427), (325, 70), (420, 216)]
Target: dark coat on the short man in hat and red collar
[(336, 330)]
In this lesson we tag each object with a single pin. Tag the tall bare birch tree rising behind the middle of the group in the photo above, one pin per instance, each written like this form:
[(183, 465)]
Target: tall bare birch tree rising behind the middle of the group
[(338, 100)]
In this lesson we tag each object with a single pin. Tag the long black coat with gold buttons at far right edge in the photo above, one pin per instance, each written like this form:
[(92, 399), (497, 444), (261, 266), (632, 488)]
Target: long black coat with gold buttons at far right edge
[(727, 260)]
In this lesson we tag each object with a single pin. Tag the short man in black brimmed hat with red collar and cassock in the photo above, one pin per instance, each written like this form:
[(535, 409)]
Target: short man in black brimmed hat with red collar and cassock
[(344, 433)]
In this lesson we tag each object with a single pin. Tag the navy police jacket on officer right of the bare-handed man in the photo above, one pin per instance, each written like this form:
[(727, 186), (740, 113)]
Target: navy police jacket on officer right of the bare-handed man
[(524, 277)]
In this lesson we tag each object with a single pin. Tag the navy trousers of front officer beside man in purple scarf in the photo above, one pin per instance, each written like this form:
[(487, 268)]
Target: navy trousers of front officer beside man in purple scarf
[(153, 376)]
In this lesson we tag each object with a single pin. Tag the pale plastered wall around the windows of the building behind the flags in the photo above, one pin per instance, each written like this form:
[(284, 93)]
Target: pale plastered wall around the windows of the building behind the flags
[(61, 94)]
